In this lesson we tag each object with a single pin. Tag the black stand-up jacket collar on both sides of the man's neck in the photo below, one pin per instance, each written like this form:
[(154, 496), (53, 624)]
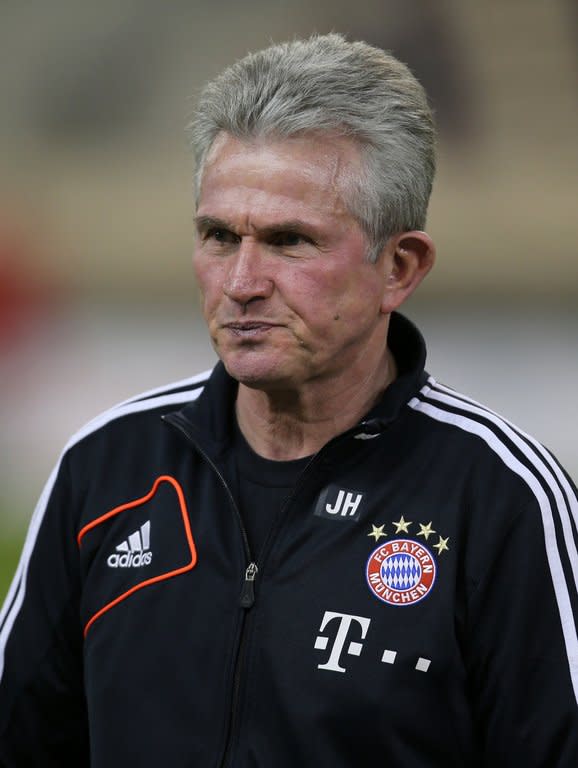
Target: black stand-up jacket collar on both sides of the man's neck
[(211, 416)]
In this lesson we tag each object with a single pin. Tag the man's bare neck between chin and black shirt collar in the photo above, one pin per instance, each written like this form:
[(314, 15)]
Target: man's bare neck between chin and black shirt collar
[(290, 425)]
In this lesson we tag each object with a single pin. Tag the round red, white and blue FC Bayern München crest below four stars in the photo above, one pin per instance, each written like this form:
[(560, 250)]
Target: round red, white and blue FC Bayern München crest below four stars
[(401, 572)]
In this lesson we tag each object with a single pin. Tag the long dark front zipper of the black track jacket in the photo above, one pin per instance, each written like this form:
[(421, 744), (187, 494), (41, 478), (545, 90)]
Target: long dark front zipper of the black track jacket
[(247, 596)]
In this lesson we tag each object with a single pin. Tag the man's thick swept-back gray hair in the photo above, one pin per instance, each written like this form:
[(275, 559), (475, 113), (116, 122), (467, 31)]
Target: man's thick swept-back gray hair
[(326, 84)]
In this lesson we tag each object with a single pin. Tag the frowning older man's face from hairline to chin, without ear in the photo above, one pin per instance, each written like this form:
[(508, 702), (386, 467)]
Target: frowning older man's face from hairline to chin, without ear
[(287, 293)]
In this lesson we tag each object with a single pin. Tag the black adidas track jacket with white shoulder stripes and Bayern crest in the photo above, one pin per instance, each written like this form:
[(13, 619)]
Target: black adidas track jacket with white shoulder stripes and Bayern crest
[(414, 606)]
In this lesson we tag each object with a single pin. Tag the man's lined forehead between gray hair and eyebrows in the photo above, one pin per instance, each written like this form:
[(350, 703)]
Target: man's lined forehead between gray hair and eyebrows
[(306, 174)]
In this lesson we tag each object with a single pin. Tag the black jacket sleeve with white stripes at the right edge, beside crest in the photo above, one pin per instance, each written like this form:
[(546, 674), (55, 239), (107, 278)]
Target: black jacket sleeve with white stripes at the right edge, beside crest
[(522, 649)]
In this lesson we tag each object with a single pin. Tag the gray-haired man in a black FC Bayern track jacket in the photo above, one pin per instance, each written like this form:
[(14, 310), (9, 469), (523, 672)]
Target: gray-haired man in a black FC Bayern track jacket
[(317, 556)]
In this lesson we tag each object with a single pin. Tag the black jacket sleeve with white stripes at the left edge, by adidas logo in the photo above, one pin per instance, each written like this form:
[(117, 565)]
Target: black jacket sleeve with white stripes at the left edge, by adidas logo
[(43, 718)]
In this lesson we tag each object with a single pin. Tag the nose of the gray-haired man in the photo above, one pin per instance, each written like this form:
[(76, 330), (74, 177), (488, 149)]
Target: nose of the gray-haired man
[(247, 277)]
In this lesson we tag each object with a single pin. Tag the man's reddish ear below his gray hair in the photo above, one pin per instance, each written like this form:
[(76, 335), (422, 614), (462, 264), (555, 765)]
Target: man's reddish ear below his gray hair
[(407, 258)]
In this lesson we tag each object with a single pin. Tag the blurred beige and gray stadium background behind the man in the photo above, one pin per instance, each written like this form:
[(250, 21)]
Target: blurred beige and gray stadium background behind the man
[(97, 298)]
